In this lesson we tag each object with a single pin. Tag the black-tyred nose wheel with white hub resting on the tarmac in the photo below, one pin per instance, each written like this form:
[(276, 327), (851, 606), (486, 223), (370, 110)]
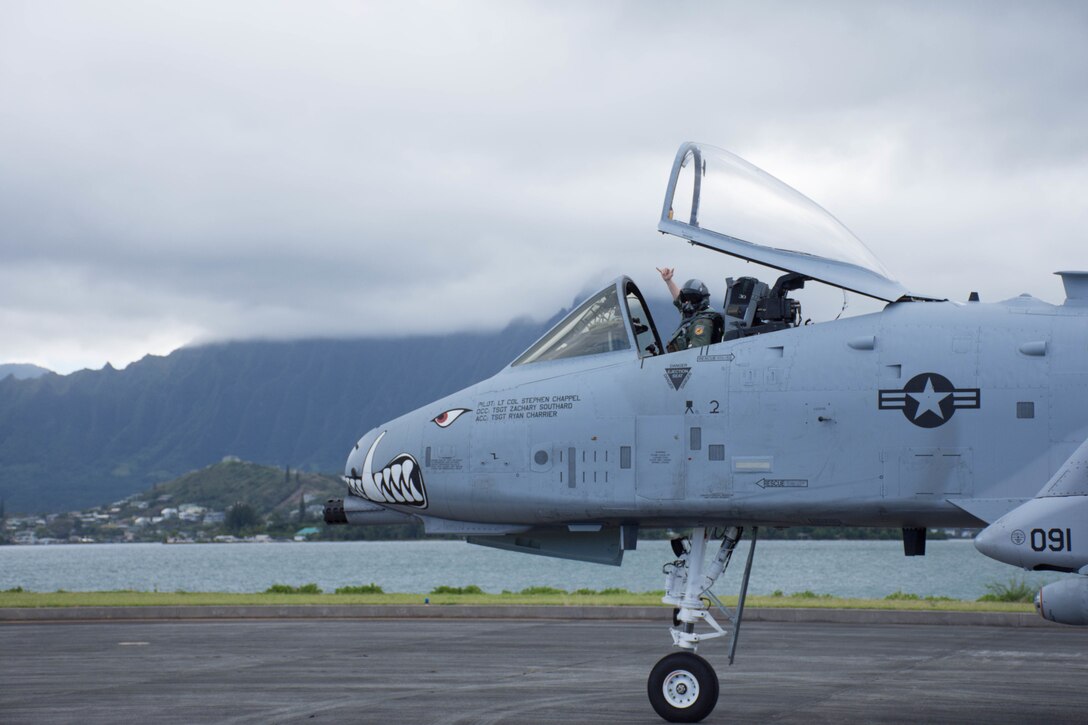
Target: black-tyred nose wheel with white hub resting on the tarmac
[(683, 687)]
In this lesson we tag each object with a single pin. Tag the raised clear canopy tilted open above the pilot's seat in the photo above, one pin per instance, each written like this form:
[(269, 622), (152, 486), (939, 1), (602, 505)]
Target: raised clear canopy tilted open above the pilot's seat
[(719, 201)]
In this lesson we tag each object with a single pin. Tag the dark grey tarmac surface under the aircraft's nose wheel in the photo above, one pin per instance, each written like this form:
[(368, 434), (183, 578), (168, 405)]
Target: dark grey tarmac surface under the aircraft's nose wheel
[(462, 672)]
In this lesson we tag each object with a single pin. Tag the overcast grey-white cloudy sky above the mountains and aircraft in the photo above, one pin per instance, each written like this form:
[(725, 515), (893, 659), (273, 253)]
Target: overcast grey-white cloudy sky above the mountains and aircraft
[(174, 173)]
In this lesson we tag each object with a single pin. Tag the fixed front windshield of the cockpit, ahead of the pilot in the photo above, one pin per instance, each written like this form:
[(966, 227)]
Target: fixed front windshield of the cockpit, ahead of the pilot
[(603, 324)]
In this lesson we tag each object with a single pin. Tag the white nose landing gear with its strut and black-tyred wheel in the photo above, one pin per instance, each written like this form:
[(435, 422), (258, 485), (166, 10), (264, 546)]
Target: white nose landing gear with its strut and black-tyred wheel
[(683, 686)]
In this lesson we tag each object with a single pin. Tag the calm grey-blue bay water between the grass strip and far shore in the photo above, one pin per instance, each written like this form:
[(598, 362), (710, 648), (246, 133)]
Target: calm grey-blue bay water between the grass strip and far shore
[(845, 569)]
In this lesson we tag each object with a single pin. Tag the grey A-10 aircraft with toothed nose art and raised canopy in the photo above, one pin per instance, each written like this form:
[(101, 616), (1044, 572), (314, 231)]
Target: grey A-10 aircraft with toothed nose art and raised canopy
[(929, 413)]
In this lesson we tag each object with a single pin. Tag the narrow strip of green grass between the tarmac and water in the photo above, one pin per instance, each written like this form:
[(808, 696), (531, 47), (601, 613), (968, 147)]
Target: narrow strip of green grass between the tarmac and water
[(557, 598)]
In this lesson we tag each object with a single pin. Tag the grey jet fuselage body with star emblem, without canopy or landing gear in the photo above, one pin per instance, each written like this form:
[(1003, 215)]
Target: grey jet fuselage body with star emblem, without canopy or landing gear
[(928, 414)]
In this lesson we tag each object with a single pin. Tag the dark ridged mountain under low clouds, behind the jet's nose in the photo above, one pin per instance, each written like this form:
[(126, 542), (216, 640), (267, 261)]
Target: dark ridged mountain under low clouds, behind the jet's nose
[(95, 437)]
